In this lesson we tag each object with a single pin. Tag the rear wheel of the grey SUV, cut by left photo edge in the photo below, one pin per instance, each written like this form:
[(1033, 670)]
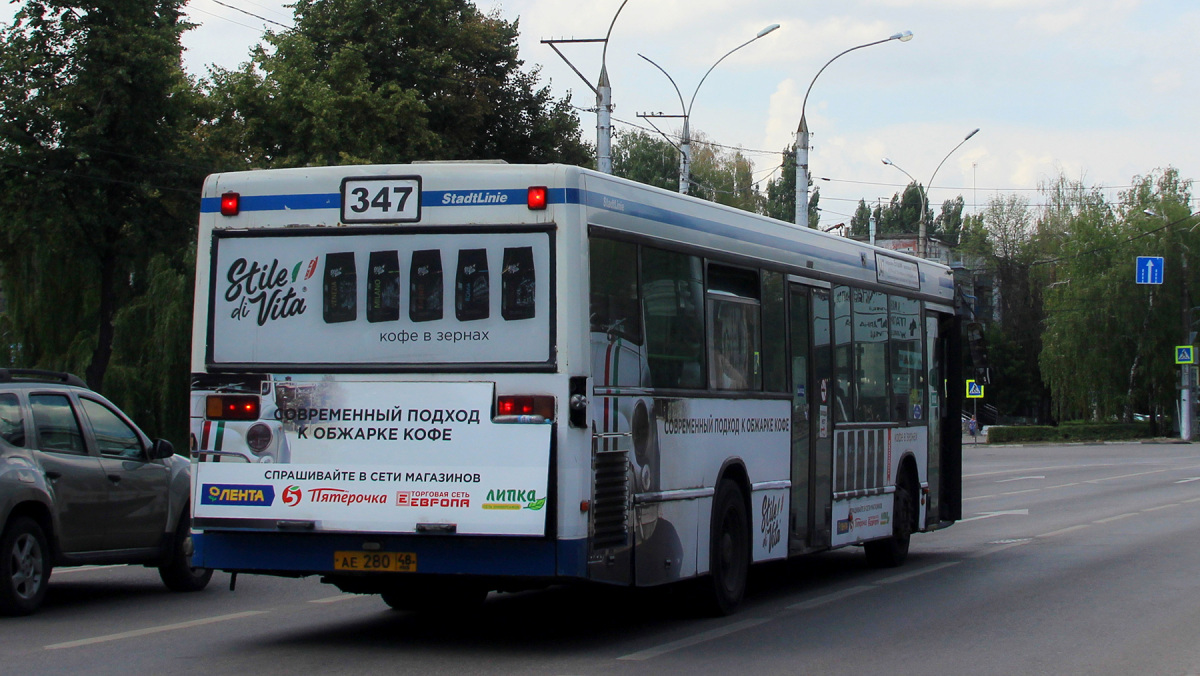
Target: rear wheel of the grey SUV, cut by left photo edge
[(25, 567)]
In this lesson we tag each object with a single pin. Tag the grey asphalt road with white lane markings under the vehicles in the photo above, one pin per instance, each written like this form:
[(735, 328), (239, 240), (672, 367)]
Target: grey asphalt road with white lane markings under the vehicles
[(1070, 560)]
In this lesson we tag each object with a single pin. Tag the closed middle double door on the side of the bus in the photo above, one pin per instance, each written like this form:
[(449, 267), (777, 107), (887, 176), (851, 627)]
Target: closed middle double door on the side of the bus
[(812, 420)]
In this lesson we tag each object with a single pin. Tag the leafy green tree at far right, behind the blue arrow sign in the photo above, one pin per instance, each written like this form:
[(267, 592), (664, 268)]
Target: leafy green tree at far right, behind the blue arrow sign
[(1108, 340)]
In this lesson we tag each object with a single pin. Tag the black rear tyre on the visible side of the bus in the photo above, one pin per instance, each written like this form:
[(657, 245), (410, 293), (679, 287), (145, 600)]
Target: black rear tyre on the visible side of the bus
[(729, 551)]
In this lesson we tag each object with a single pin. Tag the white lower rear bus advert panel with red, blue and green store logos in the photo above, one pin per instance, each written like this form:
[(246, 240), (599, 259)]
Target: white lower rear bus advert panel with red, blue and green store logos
[(386, 457)]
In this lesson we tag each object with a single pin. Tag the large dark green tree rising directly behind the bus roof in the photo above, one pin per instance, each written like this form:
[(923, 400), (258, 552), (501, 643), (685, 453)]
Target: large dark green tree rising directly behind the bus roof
[(358, 82)]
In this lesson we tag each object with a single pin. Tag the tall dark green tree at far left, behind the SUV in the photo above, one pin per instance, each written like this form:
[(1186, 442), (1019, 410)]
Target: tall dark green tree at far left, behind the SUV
[(95, 180)]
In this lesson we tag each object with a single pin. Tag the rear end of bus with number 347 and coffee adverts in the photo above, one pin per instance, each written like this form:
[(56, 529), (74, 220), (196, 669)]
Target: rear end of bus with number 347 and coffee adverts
[(377, 397)]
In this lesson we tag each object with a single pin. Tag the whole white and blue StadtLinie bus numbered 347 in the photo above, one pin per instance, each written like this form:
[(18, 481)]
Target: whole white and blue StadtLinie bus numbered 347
[(434, 381)]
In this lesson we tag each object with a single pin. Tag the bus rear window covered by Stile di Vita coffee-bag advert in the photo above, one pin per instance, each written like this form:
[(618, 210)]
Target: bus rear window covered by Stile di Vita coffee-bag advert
[(296, 301)]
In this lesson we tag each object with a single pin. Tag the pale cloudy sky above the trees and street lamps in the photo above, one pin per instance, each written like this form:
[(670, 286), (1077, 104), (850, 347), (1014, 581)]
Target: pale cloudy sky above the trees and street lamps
[(1096, 91)]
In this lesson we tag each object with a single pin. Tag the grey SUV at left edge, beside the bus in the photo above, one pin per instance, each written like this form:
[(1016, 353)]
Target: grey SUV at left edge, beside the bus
[(81, 484)]
